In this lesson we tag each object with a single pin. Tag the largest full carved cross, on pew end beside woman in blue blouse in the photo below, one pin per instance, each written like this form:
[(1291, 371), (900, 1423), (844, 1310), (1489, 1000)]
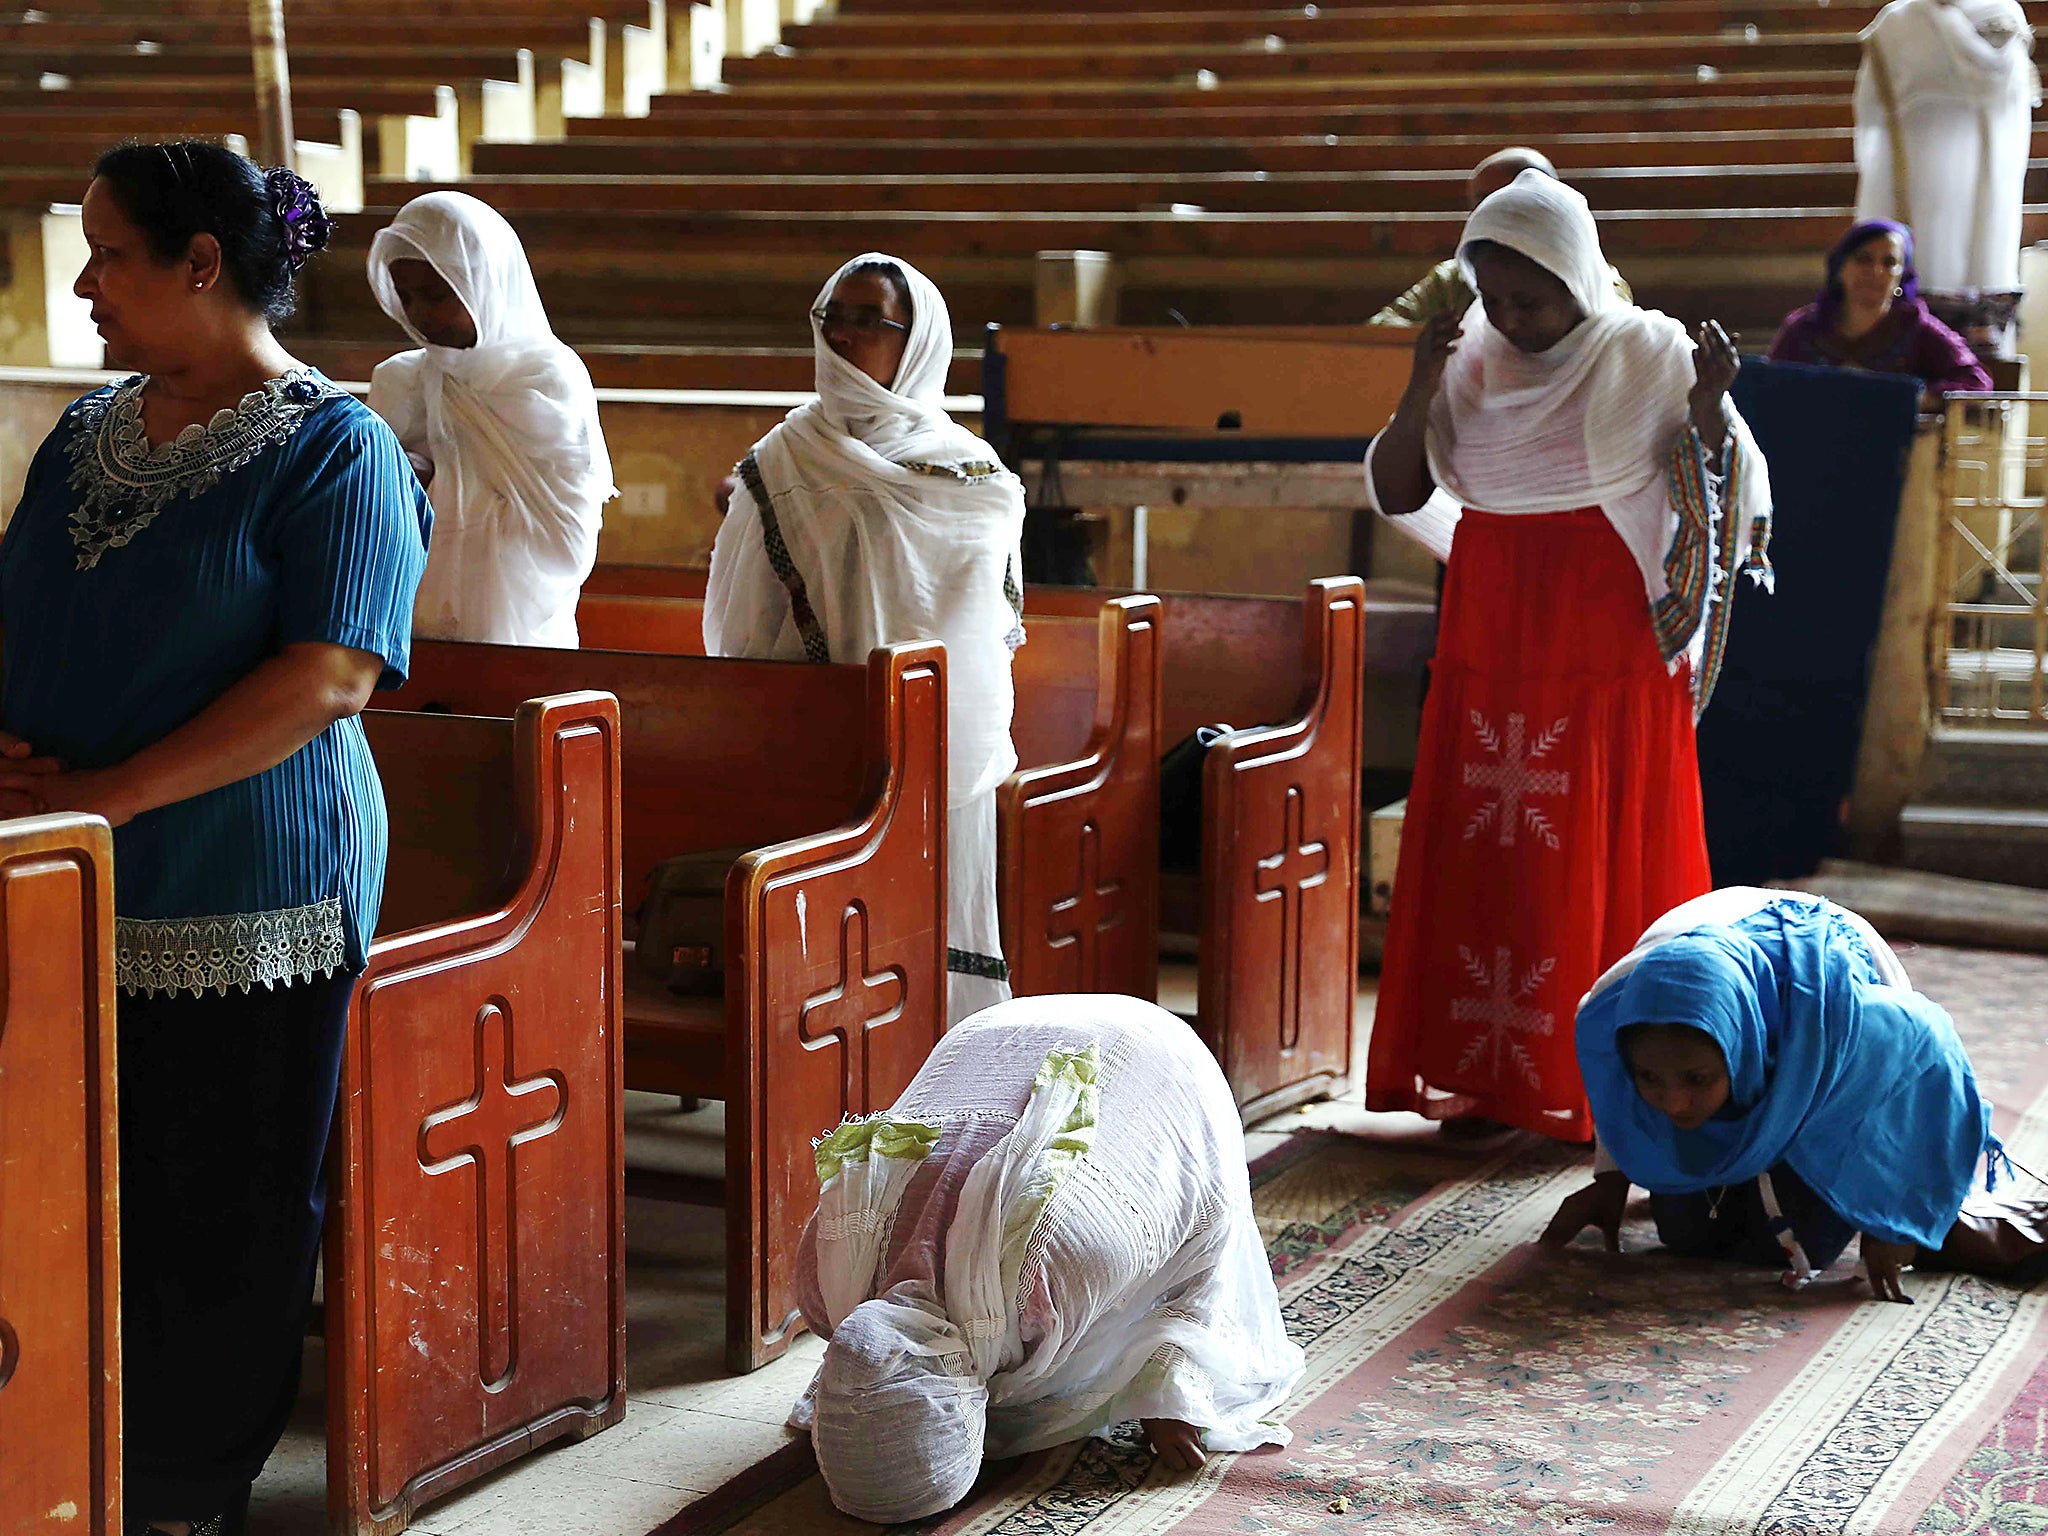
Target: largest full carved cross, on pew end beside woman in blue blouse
[(482, 1132)]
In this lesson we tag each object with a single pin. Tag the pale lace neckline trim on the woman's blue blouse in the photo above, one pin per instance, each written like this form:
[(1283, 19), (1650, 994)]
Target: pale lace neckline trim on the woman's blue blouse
[(124, 482)]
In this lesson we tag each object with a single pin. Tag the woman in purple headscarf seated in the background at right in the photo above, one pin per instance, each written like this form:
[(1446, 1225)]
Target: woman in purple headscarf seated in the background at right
[(1871, 316)]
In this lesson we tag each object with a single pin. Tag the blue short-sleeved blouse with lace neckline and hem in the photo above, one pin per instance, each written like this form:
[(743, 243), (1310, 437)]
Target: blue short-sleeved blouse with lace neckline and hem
[(138, 585)]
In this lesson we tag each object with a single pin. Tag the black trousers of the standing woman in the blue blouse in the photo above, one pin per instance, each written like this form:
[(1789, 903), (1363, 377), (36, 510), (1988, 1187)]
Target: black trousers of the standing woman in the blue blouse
[(226, 1107)]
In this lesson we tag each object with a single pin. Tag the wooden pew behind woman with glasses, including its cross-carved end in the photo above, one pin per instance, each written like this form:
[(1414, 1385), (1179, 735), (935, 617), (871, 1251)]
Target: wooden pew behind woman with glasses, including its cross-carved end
[(1078, 824)]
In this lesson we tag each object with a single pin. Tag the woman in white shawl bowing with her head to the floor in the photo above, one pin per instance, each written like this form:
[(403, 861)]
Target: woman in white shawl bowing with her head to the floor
[(1048, 1236)]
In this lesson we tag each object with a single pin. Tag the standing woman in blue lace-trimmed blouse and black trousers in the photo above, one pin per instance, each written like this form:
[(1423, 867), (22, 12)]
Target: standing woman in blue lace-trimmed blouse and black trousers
[(210, 572)]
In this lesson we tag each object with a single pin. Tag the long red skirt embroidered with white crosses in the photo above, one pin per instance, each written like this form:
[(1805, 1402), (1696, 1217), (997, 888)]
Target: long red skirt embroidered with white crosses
[(1555, 816)]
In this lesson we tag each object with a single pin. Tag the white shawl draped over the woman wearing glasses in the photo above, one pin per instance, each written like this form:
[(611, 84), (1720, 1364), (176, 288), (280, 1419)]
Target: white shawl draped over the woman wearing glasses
[(902, 525)]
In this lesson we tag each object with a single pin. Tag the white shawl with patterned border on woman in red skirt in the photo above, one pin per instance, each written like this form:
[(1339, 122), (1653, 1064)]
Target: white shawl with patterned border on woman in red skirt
[(1596, 421)]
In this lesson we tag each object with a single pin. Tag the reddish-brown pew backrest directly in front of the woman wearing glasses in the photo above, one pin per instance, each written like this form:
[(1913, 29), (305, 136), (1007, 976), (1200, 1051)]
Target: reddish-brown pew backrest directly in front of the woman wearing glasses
[(716, 753)]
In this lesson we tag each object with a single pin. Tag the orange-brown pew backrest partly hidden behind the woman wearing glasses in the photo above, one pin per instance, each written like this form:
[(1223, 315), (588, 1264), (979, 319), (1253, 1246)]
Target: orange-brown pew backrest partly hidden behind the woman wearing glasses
[(1054, 671)]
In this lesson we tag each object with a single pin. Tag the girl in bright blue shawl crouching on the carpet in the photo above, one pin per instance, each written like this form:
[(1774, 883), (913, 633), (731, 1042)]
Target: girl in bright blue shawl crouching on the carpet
[(1762, 1066)]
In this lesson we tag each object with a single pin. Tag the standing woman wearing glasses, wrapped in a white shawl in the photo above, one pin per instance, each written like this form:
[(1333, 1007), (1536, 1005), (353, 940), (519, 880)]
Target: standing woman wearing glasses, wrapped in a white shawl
[(867, 519)]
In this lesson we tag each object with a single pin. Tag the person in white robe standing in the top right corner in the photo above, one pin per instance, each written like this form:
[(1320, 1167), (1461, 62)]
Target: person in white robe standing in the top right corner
[(1945, 105)]
